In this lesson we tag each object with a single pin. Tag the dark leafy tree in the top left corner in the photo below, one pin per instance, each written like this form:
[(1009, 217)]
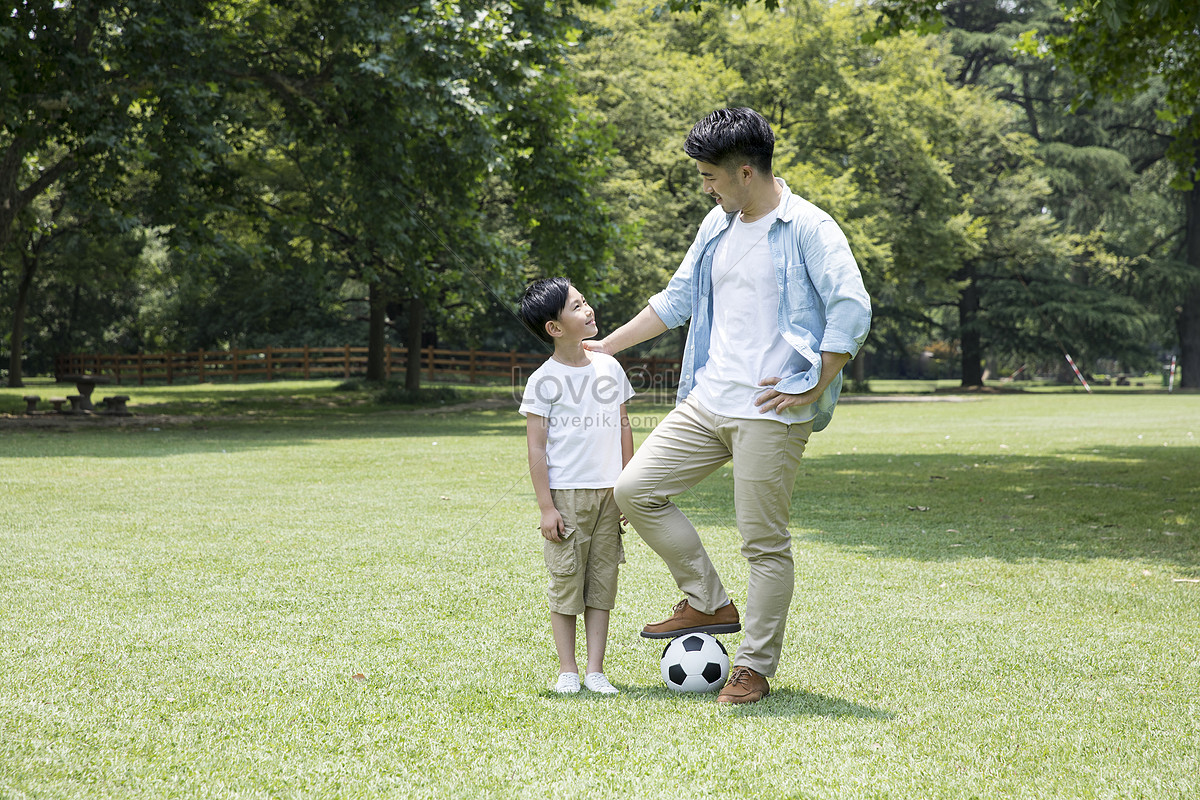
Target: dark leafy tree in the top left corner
[(83, 89)]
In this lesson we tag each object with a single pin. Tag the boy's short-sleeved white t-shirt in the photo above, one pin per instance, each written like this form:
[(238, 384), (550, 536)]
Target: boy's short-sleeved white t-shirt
[(583, 406)]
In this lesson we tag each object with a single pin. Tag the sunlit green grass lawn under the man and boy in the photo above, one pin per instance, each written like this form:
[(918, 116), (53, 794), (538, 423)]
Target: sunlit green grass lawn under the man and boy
[(311, 596)]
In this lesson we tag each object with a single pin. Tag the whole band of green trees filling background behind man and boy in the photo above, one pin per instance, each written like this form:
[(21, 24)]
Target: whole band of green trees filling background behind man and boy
[(218, 175)]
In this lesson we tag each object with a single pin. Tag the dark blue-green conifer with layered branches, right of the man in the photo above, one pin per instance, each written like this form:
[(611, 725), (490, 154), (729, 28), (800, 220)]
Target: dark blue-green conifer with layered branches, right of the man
[(1091, 161)]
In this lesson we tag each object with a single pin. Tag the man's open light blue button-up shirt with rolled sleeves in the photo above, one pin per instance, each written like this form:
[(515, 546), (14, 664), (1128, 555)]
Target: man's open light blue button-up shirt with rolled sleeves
[(823, 302)]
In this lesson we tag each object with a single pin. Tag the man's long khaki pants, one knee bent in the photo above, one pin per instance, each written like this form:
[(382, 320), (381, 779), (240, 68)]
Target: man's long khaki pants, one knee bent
[(687, 447)]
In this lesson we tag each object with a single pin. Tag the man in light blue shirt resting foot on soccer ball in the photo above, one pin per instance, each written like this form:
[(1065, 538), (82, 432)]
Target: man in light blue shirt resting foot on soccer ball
[(778, 308)]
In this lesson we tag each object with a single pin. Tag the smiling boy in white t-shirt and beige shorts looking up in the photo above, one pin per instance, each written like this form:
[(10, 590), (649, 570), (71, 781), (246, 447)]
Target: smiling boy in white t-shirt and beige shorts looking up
[(579, 441)]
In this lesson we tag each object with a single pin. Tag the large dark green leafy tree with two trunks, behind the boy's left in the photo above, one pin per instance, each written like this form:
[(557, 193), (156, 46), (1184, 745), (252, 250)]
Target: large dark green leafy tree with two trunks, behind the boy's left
[(391, 135)]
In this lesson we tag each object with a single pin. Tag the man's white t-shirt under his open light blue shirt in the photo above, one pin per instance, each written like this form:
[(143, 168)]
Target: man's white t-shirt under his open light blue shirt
[(747, 346)]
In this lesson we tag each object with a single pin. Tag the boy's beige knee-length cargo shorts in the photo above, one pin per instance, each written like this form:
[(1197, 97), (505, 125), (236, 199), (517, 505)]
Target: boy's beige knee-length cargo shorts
[(584, 568)]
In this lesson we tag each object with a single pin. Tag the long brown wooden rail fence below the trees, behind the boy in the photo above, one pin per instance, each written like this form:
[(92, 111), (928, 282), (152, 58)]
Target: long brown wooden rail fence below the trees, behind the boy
[(273, 363)]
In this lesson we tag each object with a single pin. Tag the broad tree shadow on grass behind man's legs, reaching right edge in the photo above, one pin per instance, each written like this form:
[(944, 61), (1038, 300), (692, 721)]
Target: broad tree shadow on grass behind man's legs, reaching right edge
[(1094, 503)]
